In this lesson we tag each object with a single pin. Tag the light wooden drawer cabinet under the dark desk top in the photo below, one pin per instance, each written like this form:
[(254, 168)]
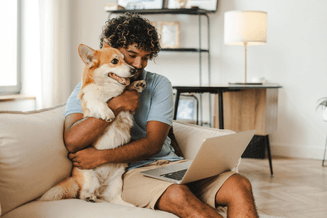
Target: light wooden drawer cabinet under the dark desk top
[(248, 109)]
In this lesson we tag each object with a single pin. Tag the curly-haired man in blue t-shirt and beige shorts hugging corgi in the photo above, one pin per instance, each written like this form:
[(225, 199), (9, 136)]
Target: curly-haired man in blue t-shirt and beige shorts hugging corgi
[(138, 40)]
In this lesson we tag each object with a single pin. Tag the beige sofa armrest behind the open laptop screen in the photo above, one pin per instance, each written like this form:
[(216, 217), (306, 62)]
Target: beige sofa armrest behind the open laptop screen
[(190, 137)]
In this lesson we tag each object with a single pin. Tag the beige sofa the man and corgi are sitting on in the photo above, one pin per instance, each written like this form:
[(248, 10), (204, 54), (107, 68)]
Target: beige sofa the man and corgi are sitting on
[(33, 158)]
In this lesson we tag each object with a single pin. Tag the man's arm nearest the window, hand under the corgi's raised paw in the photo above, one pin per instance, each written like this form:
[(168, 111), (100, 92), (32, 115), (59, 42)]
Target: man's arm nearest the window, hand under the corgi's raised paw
[(80, 133)]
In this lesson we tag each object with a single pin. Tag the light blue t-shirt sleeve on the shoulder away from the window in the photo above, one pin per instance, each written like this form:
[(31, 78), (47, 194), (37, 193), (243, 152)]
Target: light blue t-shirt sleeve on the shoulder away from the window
[(162, 104)]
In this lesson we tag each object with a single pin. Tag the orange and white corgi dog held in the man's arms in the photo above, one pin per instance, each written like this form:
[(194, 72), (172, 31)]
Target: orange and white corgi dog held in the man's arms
[(105, 76)]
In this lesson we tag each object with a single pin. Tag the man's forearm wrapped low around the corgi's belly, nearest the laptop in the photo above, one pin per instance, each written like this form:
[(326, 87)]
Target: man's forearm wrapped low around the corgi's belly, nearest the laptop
[(137, 150)]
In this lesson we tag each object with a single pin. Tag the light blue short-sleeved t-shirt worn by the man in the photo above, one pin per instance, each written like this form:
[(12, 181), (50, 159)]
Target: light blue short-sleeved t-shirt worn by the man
[(156, 104)]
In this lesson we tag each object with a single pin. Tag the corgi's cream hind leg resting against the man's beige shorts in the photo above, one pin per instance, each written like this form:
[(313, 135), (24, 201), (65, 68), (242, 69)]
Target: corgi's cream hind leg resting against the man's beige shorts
[(113, 191)]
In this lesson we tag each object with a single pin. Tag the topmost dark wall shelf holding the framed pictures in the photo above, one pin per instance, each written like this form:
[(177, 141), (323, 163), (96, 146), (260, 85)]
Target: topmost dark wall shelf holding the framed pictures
[(191, 11)]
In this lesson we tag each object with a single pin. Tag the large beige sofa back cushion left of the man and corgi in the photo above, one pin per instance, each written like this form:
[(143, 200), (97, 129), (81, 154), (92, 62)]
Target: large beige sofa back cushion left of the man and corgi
[(33, 157)]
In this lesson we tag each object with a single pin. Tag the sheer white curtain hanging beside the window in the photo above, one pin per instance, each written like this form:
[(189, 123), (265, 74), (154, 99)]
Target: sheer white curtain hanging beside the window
[(46, 65)]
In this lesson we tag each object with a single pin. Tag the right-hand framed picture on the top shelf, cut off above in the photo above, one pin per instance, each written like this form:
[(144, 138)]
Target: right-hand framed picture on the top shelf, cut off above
[(210, 5)]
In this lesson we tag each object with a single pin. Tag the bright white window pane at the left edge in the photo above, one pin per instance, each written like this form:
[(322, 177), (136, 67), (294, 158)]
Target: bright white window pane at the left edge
[(10, 55)]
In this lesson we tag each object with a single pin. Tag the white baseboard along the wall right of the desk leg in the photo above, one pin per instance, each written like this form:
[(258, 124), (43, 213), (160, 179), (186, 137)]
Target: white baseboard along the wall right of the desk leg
[(297, 152)]
